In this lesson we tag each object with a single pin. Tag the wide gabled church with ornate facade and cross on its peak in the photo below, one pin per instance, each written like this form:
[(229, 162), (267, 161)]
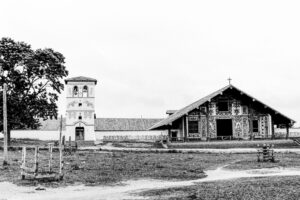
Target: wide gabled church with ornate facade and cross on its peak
[(228, 113)]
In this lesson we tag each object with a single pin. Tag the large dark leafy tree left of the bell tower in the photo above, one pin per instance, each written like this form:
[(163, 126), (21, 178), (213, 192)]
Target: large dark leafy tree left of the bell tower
[(34, 80)]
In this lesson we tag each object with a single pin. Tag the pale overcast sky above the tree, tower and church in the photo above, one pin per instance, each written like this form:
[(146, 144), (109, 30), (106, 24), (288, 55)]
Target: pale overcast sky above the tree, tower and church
[(151, 56)]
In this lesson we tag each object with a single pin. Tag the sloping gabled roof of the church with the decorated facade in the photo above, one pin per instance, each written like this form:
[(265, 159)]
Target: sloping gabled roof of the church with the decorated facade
[(187, 109)]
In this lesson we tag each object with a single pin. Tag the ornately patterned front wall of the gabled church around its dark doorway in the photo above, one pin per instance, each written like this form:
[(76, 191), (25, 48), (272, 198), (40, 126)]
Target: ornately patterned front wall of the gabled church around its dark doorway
[(239, 114)]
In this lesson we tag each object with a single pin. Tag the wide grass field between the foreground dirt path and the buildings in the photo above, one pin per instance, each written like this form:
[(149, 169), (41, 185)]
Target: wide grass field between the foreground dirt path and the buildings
[(98, 168)]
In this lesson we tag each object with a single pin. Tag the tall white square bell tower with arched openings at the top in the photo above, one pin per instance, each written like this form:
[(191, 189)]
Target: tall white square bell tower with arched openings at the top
[(80, 111)]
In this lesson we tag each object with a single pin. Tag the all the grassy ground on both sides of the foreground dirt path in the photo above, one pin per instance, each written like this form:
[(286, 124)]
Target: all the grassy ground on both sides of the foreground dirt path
[(107, 168)]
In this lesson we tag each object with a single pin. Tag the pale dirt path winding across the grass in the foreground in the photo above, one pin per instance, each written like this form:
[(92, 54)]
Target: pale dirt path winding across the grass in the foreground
[(129, 189)]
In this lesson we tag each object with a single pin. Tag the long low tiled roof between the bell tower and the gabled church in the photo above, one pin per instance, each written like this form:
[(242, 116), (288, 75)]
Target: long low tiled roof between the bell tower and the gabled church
[(124, 124)]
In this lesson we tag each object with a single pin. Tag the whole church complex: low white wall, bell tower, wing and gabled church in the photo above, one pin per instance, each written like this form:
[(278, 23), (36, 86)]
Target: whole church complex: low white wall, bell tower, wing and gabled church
[(228, 113)]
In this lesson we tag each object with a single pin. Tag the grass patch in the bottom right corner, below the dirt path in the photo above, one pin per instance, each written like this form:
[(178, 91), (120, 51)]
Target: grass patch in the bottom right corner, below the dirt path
[(266, 188)]
